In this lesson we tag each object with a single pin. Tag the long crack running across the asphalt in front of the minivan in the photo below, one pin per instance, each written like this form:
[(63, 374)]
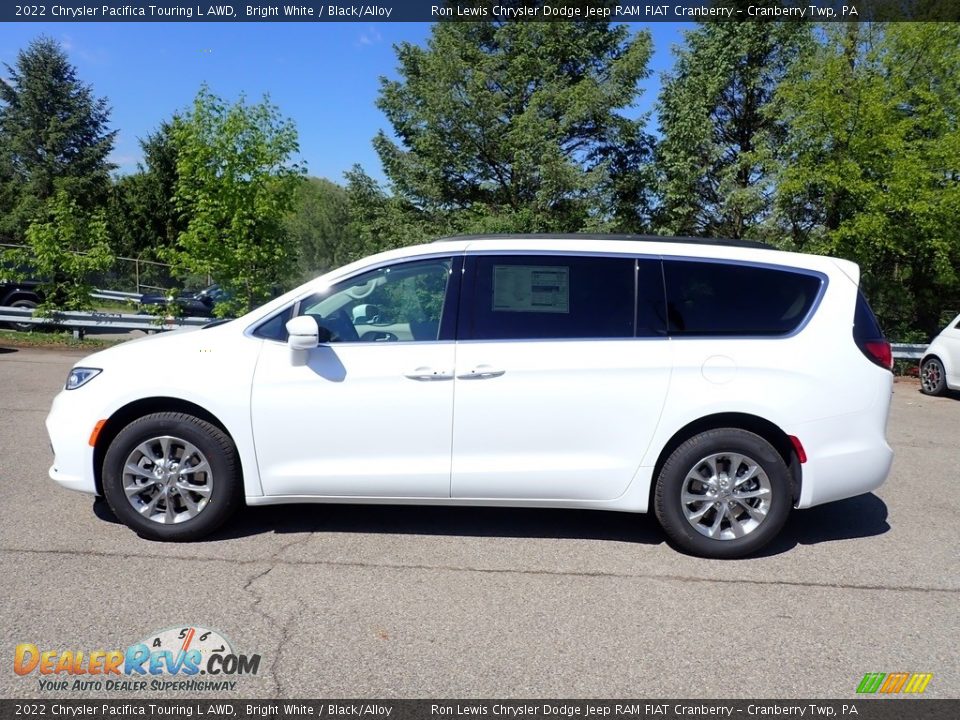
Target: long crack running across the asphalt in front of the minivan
[(482, 570)]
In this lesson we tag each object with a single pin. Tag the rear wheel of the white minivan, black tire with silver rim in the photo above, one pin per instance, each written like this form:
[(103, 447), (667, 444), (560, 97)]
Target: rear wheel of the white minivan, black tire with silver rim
[(770, 482)]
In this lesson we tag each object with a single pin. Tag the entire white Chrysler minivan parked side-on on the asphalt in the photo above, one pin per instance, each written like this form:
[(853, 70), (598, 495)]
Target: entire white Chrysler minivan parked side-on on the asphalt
[(719, 384)]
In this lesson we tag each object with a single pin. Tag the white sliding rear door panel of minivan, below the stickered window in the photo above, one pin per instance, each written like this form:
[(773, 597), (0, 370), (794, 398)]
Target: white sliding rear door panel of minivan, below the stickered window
[(564, 420)]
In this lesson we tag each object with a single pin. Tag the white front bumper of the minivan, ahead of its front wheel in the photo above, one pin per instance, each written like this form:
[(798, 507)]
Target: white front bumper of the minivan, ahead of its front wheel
[(69, 425)]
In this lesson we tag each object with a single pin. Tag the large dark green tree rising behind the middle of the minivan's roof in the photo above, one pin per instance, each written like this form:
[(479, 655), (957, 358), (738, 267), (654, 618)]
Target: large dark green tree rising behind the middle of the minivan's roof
[(515, 126)]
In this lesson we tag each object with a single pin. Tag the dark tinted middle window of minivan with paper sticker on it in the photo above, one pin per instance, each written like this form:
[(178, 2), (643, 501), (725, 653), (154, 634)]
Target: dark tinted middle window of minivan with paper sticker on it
[(549, 297)]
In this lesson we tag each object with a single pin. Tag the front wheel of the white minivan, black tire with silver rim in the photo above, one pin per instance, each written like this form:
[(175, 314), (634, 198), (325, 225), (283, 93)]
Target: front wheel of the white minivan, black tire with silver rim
[(225, 493)]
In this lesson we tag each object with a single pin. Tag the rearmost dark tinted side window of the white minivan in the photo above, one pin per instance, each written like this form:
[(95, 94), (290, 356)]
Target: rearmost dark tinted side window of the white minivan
[(714, 299)]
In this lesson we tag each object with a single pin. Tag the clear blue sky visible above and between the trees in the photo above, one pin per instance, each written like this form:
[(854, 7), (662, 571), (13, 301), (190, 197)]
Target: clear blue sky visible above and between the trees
[(322, 75)]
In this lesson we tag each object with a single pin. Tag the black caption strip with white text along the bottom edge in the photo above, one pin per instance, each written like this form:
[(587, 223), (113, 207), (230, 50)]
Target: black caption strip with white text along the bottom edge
[(229, 709)]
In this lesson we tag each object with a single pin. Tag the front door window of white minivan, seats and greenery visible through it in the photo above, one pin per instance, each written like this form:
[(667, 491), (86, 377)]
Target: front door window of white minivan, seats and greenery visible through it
[(400, 303)]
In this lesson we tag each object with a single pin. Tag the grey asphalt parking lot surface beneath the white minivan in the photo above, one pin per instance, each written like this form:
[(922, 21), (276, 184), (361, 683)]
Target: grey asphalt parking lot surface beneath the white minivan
[(405, 602)]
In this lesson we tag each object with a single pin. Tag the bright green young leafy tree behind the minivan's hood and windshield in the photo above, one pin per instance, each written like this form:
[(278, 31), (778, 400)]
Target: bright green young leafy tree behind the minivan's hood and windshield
[(236, 179)]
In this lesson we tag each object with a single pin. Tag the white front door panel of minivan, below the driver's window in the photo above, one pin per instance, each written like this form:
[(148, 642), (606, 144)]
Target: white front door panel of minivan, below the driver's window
[(351, 420)]
